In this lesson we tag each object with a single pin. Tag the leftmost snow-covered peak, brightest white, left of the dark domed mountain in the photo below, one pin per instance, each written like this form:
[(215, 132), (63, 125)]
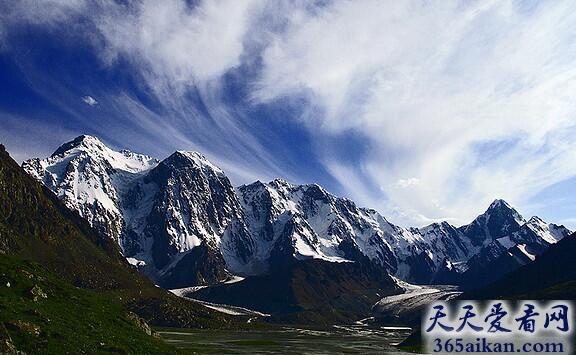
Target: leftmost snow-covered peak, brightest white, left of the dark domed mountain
[(89, 178)]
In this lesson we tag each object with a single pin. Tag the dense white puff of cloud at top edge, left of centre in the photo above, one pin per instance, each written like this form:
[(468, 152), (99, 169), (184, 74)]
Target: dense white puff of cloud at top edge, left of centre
[(177, 45)]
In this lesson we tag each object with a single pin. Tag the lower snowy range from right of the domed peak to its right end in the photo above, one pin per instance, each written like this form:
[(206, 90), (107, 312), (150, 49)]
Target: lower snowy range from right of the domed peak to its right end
[(320, 225)]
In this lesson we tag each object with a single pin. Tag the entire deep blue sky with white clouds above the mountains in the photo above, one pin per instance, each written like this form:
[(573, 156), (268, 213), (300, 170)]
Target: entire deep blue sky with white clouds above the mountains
[(423, 110)]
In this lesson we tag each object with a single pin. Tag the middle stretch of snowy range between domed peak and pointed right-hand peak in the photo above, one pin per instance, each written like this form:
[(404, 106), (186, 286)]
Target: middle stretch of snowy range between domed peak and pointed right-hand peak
[(305, 221)]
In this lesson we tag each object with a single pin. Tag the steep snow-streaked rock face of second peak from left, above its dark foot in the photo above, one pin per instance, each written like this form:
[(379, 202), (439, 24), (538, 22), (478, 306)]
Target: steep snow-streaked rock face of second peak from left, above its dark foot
[(194, 204)]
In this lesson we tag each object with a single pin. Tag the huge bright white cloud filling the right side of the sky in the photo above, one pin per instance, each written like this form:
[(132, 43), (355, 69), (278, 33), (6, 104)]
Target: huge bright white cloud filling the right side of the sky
[(475, 98)]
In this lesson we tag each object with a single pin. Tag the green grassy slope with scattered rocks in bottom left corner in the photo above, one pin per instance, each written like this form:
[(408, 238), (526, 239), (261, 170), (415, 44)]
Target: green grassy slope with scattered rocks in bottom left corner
[(41, 313)]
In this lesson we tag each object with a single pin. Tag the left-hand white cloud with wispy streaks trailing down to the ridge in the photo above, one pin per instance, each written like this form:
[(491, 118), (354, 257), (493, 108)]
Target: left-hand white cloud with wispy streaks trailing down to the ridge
[(173, 47)]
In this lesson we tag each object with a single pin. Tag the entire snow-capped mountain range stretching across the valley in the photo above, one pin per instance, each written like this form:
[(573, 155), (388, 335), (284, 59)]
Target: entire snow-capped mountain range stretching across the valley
[(182, 222)]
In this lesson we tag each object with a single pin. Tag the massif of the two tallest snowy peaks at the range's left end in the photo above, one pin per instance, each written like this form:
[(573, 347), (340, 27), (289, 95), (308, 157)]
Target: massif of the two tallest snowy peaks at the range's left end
[(158, 212)]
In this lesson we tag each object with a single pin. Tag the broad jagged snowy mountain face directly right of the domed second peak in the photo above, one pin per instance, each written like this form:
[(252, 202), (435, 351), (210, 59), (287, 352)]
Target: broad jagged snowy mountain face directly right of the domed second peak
[(305, 222)]
